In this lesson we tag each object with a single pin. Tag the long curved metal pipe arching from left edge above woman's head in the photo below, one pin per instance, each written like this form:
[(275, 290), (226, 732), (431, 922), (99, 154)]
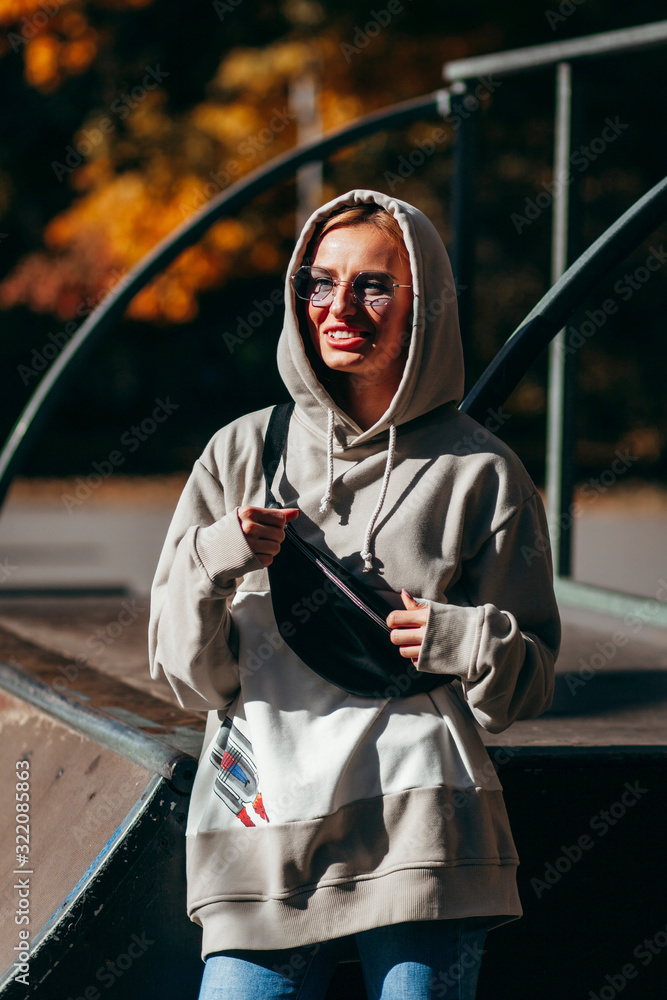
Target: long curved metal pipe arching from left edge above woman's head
[(225, 204)]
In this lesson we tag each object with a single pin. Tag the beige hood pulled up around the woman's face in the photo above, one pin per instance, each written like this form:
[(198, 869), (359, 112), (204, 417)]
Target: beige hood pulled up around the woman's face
[(433, 372)]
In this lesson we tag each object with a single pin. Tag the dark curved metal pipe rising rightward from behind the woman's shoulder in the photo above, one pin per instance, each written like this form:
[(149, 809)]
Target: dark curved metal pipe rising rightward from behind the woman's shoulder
[(562, 300)]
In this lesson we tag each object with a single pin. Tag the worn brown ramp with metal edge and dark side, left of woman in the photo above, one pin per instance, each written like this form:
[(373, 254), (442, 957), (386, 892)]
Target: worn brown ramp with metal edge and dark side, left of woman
[(94, 866)]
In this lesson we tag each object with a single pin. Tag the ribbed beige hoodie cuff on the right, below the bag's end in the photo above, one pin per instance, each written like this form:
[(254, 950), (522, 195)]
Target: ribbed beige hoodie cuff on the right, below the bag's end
[(451, 641)]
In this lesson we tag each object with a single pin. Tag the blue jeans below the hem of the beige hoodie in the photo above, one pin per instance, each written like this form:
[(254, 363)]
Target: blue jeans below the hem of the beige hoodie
[(433, 959)]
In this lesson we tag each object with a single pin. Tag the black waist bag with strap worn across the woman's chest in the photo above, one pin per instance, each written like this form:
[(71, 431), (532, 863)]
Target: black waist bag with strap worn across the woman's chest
[(331, 620)]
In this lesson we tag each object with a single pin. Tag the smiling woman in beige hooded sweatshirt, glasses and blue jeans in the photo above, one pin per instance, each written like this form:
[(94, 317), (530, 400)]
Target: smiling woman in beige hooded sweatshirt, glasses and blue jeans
[(322, 820)]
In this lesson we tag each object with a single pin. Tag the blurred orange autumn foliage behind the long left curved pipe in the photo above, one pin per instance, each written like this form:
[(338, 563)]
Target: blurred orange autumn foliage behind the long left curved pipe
[(121, 210)]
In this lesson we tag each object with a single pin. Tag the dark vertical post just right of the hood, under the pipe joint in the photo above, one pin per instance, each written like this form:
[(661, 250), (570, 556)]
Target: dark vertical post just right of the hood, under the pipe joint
[(462, 215)]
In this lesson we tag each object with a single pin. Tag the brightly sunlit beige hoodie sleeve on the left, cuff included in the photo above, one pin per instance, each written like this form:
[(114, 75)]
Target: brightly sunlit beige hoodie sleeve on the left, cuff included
[(204, 556)]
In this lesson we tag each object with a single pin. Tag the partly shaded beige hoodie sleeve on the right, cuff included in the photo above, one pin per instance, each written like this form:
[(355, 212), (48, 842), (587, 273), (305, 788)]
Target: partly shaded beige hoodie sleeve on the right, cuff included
[(502, 646)]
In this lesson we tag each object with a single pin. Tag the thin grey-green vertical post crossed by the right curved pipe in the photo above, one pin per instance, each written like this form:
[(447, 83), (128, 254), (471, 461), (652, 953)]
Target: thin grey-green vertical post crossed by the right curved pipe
[(561, 409)]
